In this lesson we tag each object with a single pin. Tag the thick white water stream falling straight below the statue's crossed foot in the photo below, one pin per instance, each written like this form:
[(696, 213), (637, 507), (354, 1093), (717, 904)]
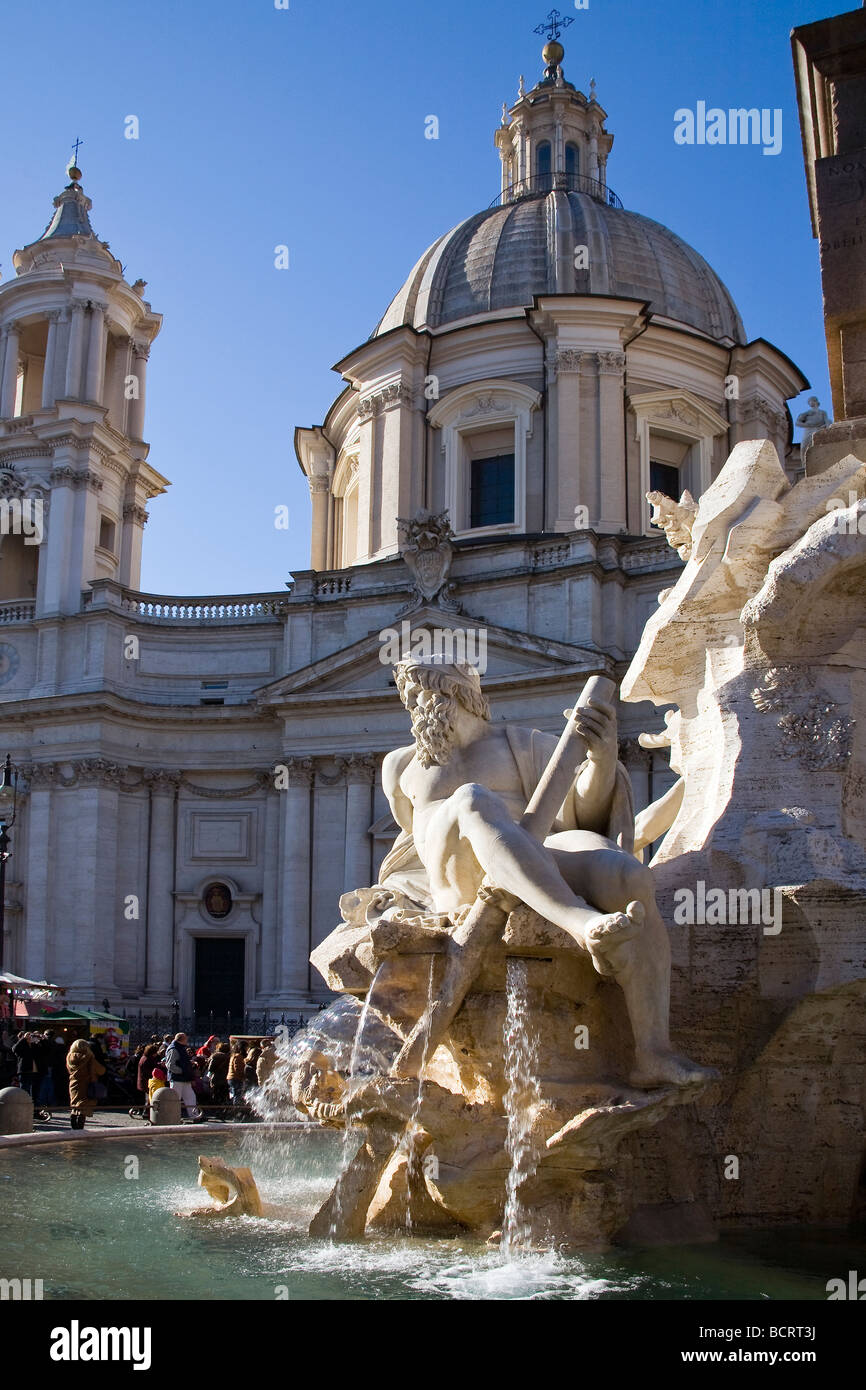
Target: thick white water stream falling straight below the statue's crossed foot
[(522, 1100)]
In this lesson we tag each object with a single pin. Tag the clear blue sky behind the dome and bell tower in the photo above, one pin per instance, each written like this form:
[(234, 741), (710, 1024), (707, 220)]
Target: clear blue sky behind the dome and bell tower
[(305, 127)]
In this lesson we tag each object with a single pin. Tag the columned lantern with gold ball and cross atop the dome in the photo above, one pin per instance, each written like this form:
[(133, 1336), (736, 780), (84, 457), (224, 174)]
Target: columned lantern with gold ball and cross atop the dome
[(554, 137)]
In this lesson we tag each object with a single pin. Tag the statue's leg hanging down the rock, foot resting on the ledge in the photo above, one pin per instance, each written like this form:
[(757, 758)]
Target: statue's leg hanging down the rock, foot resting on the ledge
[(611, 879)]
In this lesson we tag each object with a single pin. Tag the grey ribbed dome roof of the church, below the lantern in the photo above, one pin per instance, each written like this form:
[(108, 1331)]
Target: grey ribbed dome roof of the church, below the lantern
[(505, 256)]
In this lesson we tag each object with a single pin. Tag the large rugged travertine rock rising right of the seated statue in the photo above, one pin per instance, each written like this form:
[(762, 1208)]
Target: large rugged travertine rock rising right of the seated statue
[(762, 647)]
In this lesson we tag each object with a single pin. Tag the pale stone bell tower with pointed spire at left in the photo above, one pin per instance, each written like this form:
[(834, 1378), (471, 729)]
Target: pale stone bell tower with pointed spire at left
[(74, 347)]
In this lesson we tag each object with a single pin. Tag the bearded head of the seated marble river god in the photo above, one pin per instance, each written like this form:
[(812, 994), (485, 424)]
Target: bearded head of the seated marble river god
[(433, 693)]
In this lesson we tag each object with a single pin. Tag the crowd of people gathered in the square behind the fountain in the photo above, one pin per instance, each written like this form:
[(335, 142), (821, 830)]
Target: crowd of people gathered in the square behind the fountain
[(56, 1074)]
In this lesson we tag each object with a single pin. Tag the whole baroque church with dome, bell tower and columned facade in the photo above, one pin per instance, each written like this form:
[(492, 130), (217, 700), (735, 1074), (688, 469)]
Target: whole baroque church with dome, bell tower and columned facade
[(199, 779)]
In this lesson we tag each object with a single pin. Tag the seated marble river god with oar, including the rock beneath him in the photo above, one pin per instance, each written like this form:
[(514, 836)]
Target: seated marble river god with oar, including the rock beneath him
[(515, 860)]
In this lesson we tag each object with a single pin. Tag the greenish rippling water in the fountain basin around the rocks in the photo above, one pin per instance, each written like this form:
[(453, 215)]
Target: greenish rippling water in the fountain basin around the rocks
[(76, 1218)]
